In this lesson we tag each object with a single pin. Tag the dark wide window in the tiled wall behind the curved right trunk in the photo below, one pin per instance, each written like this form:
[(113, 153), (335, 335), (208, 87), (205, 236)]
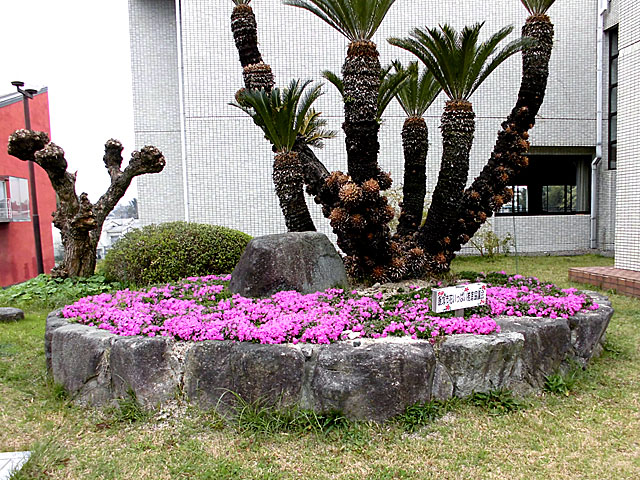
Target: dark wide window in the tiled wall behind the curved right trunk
[(551, 185)]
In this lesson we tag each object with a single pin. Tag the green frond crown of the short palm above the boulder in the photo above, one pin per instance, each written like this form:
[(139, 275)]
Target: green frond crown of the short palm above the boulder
[(280, 113)]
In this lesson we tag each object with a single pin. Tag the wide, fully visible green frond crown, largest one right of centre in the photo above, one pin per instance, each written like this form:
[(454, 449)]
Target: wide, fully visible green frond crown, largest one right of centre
[(456, 60)]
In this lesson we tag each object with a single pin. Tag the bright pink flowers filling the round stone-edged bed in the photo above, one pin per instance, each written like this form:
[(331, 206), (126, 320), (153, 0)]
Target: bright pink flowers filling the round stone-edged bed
[(201, 308)]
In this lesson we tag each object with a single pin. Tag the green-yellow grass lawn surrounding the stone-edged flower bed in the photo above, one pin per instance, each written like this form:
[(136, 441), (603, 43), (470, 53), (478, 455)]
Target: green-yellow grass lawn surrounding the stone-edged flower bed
[(592, 432)]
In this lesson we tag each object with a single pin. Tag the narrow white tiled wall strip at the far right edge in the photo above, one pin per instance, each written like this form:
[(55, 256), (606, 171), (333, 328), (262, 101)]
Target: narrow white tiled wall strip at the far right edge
[(628, 188)]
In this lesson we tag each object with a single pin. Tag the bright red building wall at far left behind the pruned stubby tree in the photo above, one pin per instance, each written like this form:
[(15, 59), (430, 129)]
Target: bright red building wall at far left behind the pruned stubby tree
[(17, 249)]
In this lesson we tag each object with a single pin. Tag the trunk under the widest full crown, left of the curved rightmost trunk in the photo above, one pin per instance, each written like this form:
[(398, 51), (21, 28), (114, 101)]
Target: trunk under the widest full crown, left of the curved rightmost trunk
[(458, 126)]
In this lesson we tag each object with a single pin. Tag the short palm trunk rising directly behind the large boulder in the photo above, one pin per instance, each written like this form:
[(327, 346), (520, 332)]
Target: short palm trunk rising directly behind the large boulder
[(288, 181)]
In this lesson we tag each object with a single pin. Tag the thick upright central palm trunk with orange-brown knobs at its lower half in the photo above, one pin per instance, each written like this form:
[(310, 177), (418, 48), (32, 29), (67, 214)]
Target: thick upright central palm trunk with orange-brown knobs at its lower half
[(361, 214)]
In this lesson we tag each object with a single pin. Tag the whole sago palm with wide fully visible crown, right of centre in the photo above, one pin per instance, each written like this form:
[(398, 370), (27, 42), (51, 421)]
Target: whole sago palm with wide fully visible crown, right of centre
[(460, 64)]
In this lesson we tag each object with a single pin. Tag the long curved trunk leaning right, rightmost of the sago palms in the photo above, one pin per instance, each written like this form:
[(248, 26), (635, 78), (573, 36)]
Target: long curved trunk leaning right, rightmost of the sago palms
[(490, 190)]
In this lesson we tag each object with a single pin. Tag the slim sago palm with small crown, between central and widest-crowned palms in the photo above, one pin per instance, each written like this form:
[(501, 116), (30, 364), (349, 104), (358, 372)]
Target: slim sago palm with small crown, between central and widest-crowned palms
[(415, 96)]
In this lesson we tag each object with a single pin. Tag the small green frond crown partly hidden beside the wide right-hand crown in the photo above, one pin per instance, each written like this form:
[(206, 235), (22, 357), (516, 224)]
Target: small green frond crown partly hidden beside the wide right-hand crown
[(417, 92)]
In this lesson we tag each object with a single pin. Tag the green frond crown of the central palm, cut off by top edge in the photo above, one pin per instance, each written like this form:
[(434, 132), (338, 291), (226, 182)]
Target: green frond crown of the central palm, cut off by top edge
[(357, 20)]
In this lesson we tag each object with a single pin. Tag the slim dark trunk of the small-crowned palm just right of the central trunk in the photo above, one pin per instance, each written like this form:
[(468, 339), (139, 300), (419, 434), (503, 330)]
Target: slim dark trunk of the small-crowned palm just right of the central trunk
[(415, 144)]
